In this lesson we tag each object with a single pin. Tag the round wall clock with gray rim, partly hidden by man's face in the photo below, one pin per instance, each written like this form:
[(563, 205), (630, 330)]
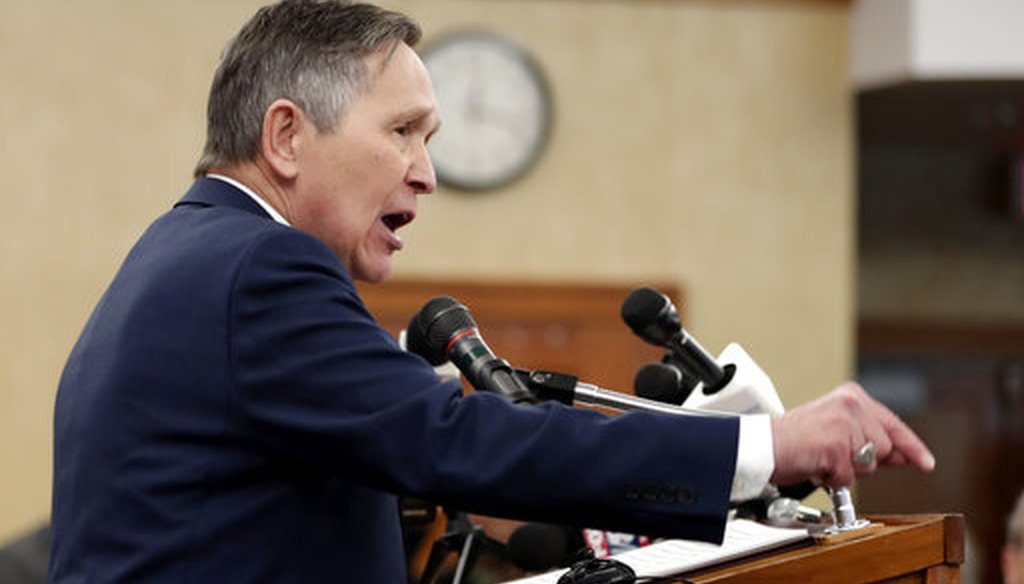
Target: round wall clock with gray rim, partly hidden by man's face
[(495, 109)]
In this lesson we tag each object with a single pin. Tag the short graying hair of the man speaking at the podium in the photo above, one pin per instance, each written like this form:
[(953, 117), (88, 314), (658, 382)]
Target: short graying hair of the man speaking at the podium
[(310, 52)]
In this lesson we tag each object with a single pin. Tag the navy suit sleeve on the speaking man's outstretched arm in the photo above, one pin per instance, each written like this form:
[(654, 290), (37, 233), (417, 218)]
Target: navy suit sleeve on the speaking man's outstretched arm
[(321, 385)]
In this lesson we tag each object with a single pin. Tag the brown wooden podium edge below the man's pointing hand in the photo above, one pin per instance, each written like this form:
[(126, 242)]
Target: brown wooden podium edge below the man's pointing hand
[(907, 549)]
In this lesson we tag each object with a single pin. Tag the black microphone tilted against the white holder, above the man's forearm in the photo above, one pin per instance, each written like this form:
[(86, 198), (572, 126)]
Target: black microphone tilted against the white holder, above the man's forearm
[(653, 317)]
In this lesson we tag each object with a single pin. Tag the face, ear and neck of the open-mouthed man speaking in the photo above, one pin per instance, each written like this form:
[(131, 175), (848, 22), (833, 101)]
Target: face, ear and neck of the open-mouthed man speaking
[(358, 185)]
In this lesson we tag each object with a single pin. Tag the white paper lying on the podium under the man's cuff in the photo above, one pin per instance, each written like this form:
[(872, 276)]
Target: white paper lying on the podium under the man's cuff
[(669, 558)]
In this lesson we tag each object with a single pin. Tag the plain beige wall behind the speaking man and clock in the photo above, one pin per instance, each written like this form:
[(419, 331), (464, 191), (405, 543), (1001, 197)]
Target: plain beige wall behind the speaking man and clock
[(707, 144)]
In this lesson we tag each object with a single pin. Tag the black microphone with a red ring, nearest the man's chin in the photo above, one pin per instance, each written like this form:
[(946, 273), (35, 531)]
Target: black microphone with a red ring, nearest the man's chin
[(444, 330)]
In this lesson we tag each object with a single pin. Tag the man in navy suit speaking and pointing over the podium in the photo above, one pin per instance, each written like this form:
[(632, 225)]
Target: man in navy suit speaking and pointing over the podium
[(233, 413)]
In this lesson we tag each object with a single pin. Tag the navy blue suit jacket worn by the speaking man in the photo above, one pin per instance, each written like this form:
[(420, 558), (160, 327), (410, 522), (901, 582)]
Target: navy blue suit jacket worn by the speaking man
[(233, 413)]
